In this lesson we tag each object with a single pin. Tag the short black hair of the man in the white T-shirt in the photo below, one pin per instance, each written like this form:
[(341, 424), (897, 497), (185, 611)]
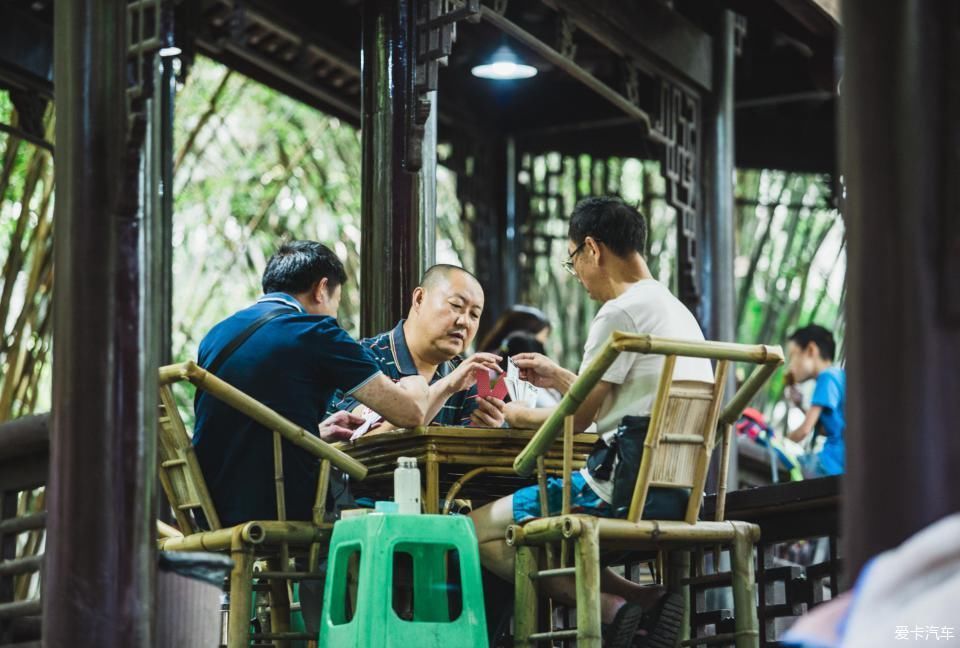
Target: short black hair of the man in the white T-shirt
[(608, 219)]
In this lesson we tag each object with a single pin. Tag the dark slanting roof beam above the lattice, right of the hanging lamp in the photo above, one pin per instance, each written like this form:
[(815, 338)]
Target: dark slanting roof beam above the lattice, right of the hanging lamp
[(654, 37)]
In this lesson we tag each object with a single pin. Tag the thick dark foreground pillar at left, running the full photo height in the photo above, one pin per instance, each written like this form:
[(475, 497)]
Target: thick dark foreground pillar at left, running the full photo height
[(100, 563)]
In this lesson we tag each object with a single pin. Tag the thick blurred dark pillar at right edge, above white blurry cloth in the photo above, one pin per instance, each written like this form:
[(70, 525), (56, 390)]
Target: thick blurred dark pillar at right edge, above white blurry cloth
[(899, 125)]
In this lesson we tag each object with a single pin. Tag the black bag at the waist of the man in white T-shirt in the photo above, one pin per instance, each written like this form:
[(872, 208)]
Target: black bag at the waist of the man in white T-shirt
[(621, 460)]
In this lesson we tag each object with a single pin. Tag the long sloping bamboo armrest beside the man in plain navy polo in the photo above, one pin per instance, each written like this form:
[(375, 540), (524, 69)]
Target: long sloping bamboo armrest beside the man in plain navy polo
[(262, 414)]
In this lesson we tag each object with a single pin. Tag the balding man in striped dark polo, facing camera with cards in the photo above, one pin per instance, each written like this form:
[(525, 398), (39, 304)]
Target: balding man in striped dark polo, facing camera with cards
[(441, 324)]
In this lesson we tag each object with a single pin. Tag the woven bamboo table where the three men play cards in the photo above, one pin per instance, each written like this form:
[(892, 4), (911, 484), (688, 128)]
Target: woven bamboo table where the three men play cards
[(475, 463)]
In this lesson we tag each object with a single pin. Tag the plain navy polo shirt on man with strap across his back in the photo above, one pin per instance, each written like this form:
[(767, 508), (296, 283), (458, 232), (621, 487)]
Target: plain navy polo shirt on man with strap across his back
[(292, 364)]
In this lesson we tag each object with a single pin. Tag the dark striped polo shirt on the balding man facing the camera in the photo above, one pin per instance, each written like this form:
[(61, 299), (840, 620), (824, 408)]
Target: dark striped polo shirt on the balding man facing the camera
[(393, 357)]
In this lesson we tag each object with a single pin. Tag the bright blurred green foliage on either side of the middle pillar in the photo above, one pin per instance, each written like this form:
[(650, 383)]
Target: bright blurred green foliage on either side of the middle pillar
[(255, 168)]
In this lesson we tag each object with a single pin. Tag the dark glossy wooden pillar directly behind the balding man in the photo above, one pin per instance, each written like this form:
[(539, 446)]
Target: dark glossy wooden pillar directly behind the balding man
[(396, 230)]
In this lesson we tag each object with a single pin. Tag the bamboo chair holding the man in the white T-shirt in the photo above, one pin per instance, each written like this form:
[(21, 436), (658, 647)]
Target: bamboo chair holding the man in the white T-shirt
[(677, 450)]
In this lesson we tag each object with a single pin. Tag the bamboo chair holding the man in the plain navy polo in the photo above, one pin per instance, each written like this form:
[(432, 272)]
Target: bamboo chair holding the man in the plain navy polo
[(186, 490)]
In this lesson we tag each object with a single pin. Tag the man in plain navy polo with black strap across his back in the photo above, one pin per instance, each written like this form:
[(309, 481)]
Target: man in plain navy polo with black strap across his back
[(288, 352)]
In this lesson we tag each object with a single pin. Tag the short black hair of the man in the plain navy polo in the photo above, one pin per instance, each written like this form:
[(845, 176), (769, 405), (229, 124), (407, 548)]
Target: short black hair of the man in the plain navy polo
[(297, 267)]
